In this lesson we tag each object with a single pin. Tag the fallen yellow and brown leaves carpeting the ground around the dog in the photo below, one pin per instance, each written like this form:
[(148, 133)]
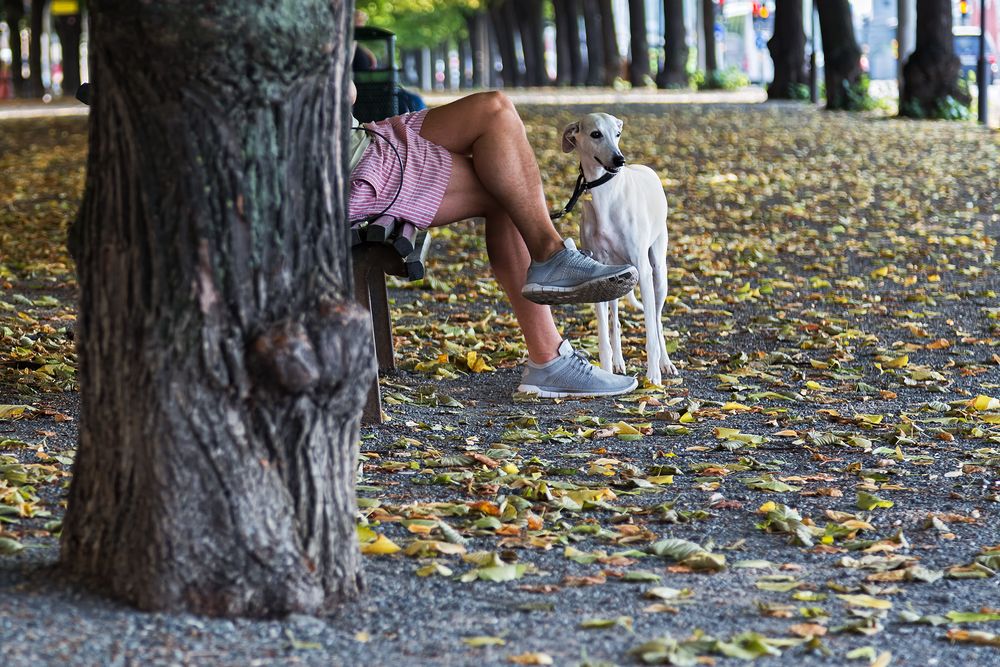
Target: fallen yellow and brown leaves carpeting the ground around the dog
[(829, 454)]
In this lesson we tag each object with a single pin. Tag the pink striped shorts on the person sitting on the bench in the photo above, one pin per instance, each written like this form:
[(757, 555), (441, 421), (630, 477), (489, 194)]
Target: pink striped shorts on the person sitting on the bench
[(376, 178)]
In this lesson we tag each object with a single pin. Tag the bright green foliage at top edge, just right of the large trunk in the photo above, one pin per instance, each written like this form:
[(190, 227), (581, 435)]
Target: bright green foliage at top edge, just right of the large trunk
[(420, 23)]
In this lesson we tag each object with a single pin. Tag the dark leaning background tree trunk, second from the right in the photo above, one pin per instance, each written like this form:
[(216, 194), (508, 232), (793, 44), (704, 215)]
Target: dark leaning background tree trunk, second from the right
[(841, 53)]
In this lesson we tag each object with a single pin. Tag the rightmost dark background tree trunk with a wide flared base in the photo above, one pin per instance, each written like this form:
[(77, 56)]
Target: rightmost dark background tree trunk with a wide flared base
[(931, 72)]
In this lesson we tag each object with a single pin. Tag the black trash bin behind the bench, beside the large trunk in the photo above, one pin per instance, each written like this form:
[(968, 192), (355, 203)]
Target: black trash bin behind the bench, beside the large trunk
[(375, 74)]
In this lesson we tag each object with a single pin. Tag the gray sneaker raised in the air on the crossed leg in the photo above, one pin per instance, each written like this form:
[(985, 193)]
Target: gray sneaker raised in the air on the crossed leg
[(570, 276)]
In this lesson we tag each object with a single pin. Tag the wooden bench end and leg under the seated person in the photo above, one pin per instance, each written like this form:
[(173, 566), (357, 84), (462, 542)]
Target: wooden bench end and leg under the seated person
[(385, 246)]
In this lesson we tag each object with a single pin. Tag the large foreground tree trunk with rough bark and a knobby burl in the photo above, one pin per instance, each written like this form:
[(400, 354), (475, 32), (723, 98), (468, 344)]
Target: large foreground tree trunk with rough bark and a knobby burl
[(223, 364)]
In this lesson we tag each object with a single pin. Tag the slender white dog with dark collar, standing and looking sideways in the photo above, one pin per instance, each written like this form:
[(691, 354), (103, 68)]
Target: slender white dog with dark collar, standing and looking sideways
[(626, 222)]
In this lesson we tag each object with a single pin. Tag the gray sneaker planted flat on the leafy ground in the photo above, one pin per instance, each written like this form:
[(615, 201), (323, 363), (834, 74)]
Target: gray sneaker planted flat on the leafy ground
[(571, 375)]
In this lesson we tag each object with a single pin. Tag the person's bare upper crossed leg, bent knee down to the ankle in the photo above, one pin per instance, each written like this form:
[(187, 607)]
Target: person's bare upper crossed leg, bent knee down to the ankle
[(487, 127)]
